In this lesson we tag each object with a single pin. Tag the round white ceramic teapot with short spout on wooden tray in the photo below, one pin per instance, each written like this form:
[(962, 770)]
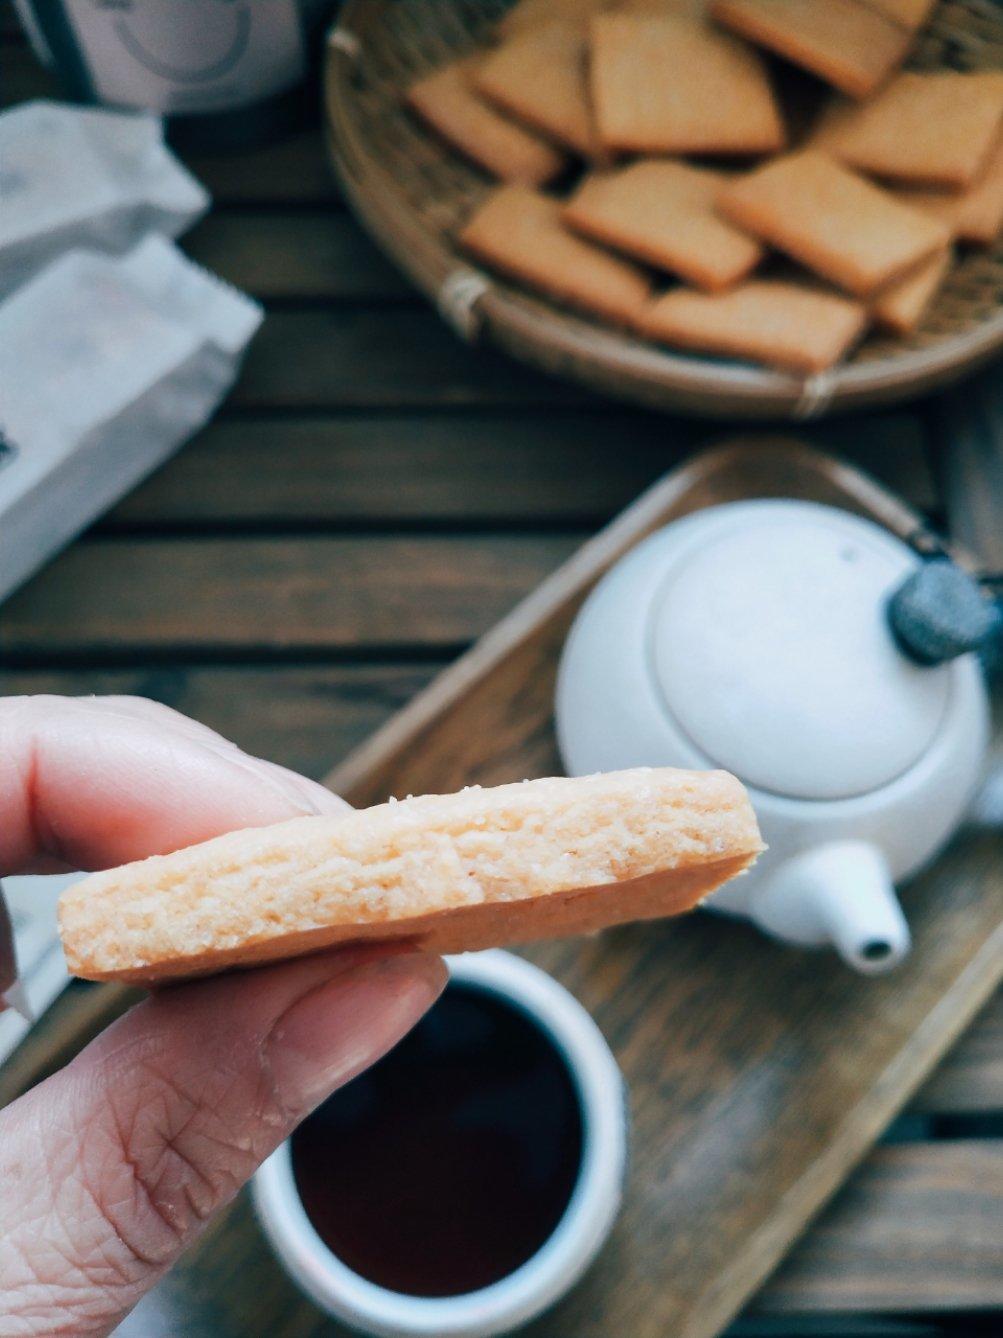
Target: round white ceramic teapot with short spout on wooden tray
[(756, 638)]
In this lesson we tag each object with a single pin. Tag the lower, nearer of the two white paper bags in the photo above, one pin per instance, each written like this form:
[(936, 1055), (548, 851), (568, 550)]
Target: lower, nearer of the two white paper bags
[(108, 366)]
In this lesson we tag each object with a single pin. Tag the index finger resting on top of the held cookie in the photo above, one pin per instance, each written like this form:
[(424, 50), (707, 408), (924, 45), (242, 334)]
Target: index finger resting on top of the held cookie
[(86, 785)]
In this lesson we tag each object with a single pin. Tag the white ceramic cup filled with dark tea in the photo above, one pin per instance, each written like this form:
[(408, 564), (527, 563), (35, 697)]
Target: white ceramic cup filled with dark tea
[(462, 1186)]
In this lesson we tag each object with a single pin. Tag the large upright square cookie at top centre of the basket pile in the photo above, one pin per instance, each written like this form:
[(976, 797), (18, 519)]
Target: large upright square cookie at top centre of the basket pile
[(671, 85)]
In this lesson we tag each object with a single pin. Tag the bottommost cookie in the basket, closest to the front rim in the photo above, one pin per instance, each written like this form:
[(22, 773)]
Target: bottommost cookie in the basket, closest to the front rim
[(776, 322)]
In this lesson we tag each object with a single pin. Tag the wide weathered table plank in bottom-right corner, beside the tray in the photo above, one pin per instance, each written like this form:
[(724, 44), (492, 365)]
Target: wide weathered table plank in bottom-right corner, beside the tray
[(917, 1229)]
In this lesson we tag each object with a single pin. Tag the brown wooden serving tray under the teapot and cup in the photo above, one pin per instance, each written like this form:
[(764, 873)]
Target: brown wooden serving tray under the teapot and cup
[(759, 1075)]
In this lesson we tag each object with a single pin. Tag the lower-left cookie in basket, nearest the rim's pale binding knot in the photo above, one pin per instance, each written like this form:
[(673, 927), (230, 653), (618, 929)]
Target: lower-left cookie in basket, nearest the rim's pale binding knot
[(520, 232)]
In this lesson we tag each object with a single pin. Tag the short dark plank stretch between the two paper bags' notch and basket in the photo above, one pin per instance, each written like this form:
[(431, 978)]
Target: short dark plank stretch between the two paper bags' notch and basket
[(298, 255)]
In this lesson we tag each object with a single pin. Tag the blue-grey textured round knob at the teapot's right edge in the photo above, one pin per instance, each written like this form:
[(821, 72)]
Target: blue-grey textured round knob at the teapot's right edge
[(939, 613)]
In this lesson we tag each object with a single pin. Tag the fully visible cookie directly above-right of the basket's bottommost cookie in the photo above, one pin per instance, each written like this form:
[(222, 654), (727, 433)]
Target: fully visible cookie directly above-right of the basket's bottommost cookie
[(834, 221)]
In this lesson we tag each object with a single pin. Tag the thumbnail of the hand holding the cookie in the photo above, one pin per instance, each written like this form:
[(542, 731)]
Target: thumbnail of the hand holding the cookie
[(344, 1026)]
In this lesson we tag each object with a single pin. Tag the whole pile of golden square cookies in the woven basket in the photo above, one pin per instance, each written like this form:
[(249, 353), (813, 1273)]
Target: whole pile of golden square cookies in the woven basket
[(655, 173)]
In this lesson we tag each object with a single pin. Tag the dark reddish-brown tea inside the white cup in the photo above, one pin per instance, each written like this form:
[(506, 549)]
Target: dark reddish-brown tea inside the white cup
[(451, 1162)]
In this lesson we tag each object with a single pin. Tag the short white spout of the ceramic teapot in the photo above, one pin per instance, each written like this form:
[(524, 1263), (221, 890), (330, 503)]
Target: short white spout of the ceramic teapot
[(842, 894)]
